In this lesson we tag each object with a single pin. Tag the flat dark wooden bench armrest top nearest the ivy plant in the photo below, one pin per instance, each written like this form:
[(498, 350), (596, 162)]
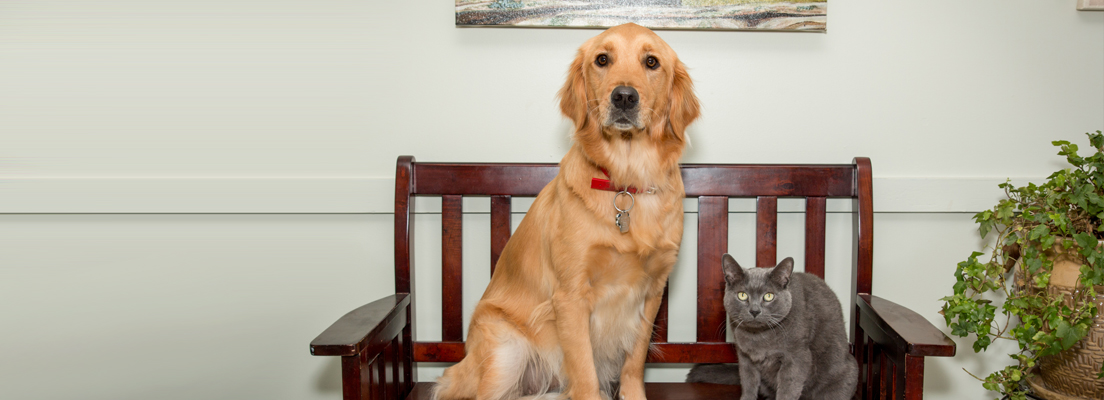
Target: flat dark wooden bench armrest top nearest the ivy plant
[(909, 332)]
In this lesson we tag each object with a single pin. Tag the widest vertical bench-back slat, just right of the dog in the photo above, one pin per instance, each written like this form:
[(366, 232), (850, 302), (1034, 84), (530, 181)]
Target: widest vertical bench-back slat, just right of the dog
[(713, 244)]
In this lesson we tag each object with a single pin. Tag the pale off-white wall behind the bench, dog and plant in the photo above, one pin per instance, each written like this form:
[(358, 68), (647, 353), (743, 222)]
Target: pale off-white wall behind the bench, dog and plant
[(192, 191)]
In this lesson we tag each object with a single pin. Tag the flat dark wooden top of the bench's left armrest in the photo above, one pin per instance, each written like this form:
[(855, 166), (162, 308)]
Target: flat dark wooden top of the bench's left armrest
[(371, 328)]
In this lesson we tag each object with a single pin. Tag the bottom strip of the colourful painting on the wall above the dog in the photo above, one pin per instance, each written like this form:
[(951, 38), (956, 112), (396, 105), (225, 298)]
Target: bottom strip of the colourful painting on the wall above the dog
[(797, 16)]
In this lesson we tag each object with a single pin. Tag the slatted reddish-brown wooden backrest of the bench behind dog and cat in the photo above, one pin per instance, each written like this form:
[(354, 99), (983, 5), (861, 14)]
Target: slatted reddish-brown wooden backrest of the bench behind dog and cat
[(713, 185)]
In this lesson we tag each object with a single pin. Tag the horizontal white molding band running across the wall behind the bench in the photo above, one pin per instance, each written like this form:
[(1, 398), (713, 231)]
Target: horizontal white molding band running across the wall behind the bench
[(377, 196)]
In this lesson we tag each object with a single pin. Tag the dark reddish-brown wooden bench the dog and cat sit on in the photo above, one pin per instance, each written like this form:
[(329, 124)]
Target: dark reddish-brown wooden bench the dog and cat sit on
[(379, 352)]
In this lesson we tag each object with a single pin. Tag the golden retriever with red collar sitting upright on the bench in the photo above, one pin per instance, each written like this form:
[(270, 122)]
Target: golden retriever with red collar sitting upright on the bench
[(570, 310)]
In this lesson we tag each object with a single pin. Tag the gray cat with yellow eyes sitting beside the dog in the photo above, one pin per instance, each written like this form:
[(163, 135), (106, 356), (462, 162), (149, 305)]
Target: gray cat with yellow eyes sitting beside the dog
[(790, 336)]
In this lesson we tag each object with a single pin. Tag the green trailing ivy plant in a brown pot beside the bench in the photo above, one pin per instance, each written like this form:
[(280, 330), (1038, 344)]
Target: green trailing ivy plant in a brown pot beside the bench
[(1045, 275)]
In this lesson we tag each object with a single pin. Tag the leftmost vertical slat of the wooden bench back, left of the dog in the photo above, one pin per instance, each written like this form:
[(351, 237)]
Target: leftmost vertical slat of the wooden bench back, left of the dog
[(452, 268)]
